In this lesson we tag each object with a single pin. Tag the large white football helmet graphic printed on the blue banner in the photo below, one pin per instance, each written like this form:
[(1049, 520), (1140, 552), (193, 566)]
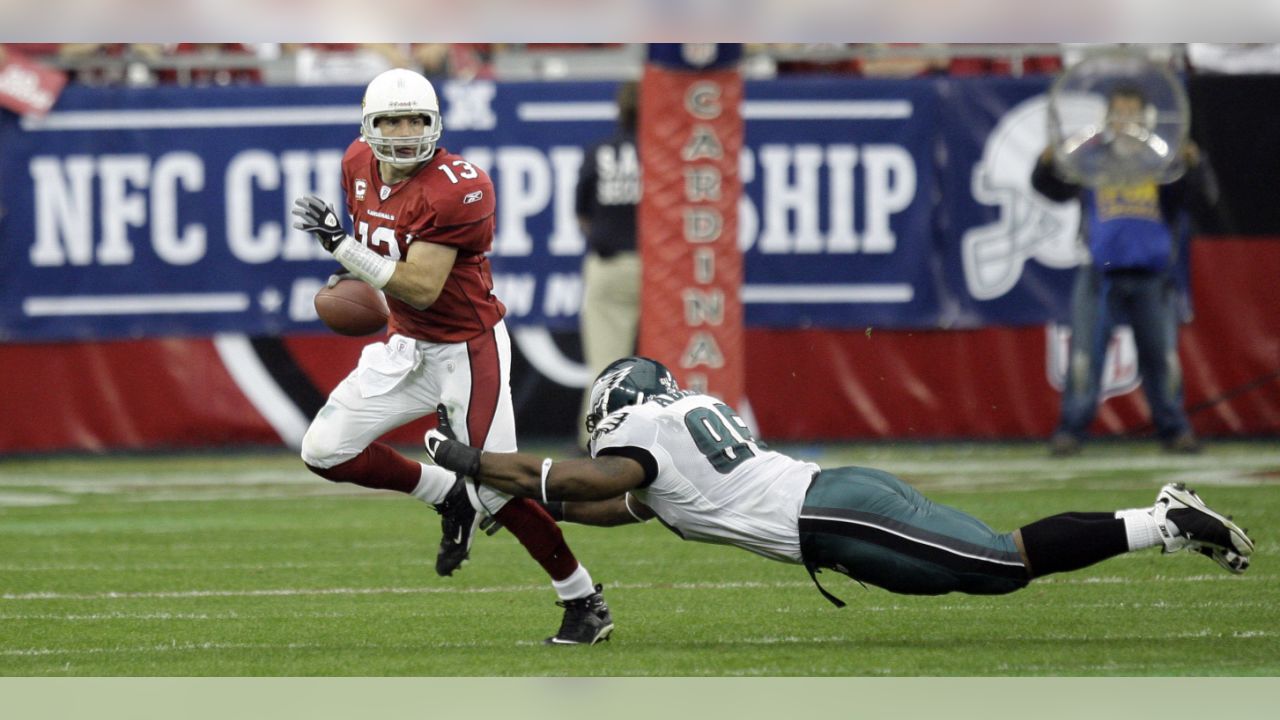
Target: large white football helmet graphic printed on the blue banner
[(1030, 226)]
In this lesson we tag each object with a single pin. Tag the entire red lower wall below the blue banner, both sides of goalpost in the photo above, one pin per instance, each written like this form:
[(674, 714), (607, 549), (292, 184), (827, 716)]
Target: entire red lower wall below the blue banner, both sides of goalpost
[(803, 385)]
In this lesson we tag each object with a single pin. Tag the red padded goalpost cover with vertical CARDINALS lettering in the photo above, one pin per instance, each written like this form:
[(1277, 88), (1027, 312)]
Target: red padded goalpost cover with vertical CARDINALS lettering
[(691, 139)]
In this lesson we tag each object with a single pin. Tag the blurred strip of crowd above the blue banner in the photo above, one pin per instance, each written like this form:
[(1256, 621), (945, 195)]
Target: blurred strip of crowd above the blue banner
[(319, 63)]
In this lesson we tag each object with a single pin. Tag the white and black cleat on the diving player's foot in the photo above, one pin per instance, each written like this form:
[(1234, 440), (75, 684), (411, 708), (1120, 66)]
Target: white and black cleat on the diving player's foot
[(1186, 522)]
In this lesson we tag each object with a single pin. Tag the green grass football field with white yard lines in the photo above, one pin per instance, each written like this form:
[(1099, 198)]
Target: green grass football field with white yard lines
[(249, 566)]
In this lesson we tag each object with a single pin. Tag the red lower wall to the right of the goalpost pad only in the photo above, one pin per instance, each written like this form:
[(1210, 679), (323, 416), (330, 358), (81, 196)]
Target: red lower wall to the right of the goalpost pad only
[(995, 384)]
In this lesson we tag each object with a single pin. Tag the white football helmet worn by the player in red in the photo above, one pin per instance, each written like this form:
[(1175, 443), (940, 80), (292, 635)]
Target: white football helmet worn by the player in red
[(401, 93)]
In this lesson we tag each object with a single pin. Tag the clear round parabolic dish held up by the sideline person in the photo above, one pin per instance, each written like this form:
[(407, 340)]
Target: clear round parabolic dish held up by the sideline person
[(1118, 119)]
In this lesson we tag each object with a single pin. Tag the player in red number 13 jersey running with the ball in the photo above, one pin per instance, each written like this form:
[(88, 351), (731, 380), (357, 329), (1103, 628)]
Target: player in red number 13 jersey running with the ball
[(424, 220)]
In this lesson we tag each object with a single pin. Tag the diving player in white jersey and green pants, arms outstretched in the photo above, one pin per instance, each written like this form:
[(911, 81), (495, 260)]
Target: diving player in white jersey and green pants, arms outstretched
[(689, 461)]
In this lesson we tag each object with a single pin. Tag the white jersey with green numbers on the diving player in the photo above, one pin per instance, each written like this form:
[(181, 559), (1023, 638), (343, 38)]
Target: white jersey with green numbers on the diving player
[(712, 481)]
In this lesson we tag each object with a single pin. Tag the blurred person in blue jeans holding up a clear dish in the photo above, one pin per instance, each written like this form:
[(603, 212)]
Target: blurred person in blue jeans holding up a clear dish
[(1135, 234)]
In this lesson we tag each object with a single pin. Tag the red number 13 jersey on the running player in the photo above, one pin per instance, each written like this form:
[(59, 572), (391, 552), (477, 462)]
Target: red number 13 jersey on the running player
[(449, 202)]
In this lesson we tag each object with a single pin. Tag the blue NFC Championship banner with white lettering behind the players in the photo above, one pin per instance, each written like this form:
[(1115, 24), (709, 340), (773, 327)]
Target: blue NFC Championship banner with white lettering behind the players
[(866, 203)]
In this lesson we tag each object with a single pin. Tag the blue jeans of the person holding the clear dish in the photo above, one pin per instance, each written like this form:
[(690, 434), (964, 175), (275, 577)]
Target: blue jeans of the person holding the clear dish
[(1146, 302)]
